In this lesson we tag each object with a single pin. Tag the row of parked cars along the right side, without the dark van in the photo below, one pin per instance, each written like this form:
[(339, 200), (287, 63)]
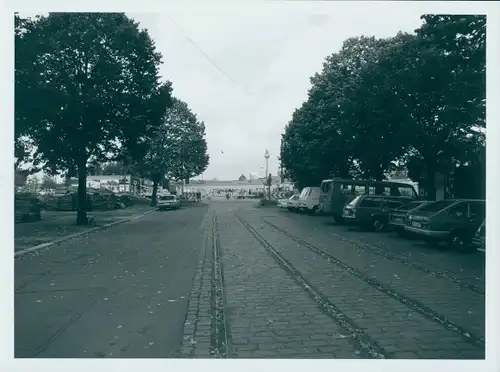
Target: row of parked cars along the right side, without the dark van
[(458, 222)]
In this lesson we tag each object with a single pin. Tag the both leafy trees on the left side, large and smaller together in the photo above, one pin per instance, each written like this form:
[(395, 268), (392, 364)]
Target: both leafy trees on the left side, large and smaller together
[(88, 91)]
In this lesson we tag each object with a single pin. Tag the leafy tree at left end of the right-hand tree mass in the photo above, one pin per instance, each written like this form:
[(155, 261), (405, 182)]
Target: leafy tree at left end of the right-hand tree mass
[(318, 141)]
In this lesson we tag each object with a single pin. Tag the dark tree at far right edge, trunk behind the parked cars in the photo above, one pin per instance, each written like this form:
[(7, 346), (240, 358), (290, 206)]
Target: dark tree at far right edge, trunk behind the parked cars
[(439, 76)]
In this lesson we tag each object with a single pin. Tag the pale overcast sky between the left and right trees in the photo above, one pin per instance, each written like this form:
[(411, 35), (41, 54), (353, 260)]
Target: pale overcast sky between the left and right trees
[(269, 51)]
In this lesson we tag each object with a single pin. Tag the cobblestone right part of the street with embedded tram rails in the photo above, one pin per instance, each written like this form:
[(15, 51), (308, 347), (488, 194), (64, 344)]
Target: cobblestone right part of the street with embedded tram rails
[(292, 289)]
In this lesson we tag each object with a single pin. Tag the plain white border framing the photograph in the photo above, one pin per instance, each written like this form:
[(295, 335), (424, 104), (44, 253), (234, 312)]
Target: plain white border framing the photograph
[(8, 363)]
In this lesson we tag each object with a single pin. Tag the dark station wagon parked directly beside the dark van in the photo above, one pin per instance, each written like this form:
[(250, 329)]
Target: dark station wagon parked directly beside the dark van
[(372, 210)]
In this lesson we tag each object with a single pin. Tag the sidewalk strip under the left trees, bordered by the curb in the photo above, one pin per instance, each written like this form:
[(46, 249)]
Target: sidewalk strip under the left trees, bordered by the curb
[(56, 225)]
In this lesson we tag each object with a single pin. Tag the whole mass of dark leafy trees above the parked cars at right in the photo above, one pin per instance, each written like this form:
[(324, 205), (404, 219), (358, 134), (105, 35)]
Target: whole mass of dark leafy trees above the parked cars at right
[(412, 101)]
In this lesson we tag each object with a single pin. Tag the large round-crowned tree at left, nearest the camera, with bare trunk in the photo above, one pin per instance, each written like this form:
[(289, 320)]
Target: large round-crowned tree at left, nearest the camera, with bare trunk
[(87, 88)]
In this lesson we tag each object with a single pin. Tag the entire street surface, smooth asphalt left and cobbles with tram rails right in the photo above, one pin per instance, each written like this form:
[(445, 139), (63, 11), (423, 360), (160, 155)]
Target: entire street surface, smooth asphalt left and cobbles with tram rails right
[(227, 279)]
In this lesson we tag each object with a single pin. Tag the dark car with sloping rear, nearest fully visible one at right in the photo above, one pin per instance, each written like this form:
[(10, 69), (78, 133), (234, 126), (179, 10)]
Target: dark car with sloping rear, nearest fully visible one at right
[(454, 221)]
